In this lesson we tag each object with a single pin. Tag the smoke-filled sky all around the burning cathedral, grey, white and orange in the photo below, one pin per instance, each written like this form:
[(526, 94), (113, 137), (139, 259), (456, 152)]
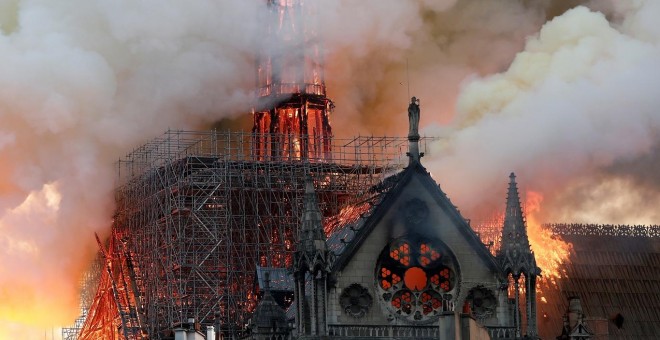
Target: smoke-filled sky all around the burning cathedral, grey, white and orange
[(567, 98)]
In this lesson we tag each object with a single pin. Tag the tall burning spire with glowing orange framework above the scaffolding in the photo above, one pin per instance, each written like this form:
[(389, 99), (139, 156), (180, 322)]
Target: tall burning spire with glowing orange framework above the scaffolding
[(292, 116)]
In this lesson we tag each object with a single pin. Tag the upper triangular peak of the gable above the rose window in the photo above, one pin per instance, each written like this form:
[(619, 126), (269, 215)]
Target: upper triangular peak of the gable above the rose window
[(400, 199)]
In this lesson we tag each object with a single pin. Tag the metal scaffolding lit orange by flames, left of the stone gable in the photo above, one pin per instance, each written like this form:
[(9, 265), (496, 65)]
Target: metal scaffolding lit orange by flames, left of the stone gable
[(197, 212)]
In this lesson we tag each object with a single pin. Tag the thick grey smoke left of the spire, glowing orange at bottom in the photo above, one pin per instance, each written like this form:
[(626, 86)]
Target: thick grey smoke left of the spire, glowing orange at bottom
[(82, 83)]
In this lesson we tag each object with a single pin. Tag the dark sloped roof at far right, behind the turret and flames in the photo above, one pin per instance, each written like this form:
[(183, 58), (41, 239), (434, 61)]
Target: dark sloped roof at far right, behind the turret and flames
[(612, 275)]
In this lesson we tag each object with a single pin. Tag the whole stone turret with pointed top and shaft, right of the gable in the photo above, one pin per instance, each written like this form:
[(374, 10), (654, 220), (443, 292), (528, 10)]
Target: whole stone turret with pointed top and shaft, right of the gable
[(516, 258)]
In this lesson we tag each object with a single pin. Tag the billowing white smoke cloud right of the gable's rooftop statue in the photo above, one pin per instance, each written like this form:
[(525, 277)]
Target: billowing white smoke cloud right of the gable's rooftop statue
[(580, 99)]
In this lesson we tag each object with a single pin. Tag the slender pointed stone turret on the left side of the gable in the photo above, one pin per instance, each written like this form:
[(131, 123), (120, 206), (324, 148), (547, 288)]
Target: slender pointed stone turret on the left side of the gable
[(312, 261)]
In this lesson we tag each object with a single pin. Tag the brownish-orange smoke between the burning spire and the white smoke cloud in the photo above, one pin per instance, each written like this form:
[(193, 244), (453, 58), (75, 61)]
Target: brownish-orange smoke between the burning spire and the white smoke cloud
[(424, 49)]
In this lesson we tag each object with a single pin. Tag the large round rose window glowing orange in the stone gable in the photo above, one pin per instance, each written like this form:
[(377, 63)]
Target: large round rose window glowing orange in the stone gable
[(416, 279)]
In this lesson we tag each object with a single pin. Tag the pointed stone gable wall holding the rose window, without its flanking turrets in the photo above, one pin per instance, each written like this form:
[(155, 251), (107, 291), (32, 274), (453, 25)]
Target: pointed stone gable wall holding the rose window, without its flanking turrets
[(413, 252)]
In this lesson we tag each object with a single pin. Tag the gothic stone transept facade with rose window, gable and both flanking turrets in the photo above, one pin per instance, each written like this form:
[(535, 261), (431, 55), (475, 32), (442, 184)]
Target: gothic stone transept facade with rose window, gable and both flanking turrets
[(410, 266)]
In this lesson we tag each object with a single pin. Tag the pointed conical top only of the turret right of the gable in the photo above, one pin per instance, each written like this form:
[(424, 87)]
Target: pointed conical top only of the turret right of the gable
[(515, 254)]
